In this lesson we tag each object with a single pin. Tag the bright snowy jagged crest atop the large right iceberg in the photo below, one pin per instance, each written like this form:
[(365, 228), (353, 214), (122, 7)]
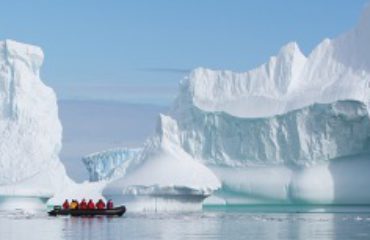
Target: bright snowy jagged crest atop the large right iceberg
[(336, 69)]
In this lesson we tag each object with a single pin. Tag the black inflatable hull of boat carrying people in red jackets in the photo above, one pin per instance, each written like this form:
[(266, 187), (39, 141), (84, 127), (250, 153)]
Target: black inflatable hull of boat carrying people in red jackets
[(118, 211)]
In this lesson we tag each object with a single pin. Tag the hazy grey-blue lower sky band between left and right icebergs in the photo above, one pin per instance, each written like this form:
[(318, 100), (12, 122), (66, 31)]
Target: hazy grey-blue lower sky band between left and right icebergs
[(94, 126)]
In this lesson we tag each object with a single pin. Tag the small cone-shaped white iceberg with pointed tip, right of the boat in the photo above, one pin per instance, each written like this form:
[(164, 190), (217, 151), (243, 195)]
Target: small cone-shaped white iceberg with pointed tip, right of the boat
[(163, 176)]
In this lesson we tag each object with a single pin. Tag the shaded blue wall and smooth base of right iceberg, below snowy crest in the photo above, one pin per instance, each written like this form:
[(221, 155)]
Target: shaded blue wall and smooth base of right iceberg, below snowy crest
[(281, 158)]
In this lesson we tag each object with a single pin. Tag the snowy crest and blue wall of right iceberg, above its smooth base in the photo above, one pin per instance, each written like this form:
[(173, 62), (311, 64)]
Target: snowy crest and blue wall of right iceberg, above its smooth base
[(261, 117)]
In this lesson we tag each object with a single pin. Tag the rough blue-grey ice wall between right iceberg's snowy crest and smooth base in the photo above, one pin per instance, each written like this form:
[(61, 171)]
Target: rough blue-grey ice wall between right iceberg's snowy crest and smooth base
[(302, 137)]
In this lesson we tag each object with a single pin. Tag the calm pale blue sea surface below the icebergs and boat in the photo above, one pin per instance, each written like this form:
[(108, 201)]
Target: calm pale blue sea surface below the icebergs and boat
[(211, 223)]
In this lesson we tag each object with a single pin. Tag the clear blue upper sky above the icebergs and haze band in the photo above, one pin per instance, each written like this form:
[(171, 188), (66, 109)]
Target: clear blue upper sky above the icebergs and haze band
[(138, 51)]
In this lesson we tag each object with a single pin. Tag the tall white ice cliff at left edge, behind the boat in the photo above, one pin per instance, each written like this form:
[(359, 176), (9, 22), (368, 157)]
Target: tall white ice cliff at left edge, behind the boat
[(30, 130)]
